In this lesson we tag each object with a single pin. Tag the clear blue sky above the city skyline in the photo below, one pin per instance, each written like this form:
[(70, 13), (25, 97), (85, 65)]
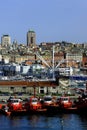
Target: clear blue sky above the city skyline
[(52, 20)]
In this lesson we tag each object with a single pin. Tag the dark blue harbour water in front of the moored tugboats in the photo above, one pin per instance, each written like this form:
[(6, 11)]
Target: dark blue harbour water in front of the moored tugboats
[(44, 122)]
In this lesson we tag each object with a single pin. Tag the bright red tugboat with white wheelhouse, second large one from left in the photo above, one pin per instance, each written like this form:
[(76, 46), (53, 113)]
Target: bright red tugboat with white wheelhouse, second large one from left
[(34, 106)]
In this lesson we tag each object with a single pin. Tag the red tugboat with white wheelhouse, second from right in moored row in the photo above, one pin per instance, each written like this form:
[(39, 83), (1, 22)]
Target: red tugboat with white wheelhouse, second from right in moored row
[(62, 104)]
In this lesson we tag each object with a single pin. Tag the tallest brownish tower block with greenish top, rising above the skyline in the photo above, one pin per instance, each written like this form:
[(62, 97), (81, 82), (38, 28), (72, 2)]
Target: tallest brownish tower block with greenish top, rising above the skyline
[(31, 38)]
